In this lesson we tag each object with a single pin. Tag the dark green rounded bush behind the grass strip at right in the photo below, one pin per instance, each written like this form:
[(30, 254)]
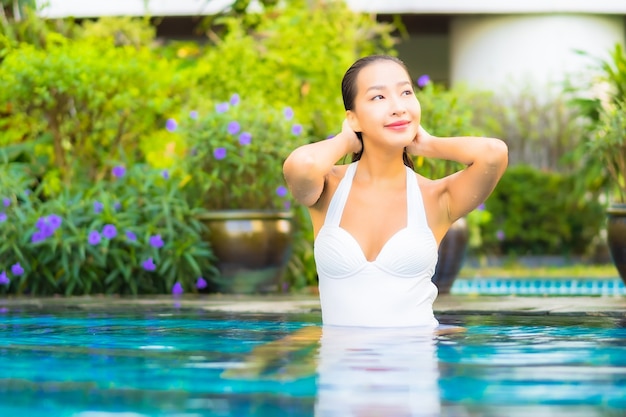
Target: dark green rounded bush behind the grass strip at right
[(534, 212)]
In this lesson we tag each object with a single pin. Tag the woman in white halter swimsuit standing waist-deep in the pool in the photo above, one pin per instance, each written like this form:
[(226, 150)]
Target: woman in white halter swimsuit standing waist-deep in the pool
[(377, 223)]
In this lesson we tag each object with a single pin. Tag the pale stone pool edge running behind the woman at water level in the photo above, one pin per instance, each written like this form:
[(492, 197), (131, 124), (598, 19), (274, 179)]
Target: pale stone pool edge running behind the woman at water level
[(445, 304)]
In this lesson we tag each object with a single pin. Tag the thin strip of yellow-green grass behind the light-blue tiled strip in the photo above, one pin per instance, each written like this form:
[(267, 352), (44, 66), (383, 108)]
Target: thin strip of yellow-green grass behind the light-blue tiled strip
[(520, 271)]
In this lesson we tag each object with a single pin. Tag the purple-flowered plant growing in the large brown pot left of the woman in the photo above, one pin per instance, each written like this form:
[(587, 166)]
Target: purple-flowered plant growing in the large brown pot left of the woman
[(235, 152)]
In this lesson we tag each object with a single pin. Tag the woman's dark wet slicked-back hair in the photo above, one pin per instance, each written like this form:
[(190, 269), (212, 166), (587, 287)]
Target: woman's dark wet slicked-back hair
[(349, 90)]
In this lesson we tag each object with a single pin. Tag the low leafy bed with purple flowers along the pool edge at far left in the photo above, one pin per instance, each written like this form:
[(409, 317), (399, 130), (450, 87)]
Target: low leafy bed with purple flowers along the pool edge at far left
[(66, 245)]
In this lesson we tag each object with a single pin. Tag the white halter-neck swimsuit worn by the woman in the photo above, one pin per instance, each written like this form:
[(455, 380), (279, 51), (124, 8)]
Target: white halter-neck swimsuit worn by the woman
[(394, 290)]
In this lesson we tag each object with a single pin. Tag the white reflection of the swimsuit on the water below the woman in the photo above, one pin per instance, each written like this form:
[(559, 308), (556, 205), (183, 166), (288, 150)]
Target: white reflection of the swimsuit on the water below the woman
[(377, 372)]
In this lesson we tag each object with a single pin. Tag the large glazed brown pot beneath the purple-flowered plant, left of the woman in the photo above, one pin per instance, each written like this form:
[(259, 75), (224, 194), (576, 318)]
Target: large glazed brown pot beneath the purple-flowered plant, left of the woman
[(252, 248)]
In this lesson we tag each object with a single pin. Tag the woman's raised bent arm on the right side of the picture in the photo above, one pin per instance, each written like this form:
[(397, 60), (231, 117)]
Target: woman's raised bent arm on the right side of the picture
[(485, 159)]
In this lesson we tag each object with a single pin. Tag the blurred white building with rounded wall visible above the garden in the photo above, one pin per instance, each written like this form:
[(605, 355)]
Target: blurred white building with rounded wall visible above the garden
[(491, 44)]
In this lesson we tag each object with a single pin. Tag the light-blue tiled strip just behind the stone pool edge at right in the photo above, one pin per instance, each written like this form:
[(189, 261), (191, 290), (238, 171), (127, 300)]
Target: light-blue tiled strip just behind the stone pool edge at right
[(533, 286)]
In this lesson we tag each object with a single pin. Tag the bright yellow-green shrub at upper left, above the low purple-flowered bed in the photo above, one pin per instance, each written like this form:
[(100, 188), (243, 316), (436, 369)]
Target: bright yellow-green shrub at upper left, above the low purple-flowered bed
[(88, 101)]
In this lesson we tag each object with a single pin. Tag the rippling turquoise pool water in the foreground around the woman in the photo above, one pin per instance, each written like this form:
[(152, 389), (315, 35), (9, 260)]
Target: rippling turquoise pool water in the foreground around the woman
[(183, 362)]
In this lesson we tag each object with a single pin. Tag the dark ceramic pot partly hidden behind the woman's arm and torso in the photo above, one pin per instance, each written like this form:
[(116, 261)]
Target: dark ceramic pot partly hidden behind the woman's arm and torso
[(452, 250)]
